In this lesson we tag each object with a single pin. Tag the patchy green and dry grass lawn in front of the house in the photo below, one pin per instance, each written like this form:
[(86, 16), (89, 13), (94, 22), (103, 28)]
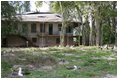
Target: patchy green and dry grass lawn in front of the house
[(38, 58)]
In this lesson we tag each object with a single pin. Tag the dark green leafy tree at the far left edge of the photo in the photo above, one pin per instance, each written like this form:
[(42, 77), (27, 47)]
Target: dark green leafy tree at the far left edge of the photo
[(7, 13)]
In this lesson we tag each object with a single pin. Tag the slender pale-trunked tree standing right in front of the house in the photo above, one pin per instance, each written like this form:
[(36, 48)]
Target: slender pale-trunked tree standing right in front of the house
[(62, 8)]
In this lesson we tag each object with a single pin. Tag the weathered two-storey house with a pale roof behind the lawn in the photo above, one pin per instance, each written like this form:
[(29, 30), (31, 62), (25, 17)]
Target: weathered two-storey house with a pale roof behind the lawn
[(43, 29)]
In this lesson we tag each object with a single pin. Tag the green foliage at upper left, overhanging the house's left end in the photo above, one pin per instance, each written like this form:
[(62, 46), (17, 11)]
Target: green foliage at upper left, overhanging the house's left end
[(9, 24)]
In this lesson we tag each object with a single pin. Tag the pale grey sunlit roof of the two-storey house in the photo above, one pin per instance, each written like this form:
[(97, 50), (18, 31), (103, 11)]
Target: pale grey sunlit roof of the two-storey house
[(41, 17)]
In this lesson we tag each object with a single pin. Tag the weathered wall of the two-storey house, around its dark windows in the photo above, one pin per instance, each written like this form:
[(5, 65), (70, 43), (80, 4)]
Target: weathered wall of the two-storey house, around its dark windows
[(48, 40)]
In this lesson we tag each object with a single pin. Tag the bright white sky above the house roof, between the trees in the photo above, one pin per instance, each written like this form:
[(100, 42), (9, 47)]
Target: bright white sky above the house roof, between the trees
[(44, 8)]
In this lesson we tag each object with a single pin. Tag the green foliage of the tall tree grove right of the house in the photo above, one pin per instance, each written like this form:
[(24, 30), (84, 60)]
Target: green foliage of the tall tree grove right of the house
[(101, 11)]
